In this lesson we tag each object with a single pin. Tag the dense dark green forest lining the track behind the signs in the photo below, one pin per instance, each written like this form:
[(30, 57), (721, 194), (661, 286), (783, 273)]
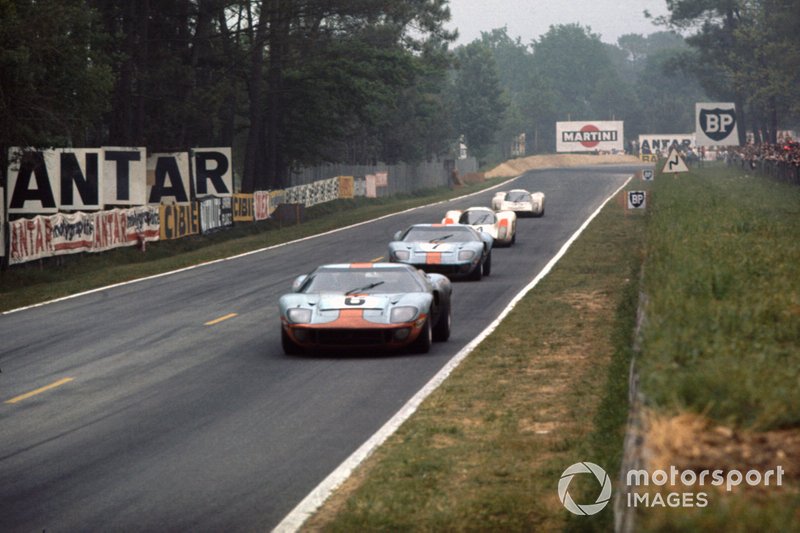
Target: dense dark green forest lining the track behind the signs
[(292, 83)]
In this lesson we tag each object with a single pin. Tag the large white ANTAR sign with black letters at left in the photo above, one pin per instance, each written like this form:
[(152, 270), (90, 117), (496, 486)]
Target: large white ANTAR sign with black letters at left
[(88, 179)]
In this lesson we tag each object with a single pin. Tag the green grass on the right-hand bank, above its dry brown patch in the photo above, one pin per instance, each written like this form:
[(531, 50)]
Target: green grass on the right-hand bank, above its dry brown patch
[(723, 277)]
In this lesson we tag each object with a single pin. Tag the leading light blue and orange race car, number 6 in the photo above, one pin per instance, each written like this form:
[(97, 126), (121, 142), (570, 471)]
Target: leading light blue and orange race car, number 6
[(365, 305)]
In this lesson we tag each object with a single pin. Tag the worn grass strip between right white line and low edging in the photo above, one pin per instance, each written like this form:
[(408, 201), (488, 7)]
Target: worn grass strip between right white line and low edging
[(547, 389)]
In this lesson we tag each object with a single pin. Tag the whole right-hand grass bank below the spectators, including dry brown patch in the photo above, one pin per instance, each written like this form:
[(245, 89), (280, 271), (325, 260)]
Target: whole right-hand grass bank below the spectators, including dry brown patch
[(720, 362)]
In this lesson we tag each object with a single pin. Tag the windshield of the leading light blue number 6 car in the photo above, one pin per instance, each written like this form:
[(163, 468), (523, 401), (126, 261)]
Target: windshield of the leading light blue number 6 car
[(362, 281)]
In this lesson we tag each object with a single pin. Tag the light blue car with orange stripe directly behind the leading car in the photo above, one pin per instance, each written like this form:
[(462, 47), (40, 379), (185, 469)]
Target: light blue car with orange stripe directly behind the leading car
[(455, 250)]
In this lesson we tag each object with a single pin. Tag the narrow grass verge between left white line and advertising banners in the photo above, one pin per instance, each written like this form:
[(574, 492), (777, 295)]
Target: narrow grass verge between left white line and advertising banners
[(36, 282)]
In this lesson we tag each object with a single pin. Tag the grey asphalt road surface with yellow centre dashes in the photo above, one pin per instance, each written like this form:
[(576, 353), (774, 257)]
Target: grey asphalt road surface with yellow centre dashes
[(150, 406)]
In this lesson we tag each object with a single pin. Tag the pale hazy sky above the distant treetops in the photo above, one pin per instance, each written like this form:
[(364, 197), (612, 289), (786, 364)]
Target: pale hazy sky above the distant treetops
[(529, 19)]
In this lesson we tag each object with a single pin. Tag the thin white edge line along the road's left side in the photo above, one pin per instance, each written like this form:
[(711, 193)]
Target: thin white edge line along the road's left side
[(252, 252)]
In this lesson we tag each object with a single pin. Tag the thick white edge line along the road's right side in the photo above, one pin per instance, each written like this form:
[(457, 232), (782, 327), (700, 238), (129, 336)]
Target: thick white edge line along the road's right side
[(314, 500)]
